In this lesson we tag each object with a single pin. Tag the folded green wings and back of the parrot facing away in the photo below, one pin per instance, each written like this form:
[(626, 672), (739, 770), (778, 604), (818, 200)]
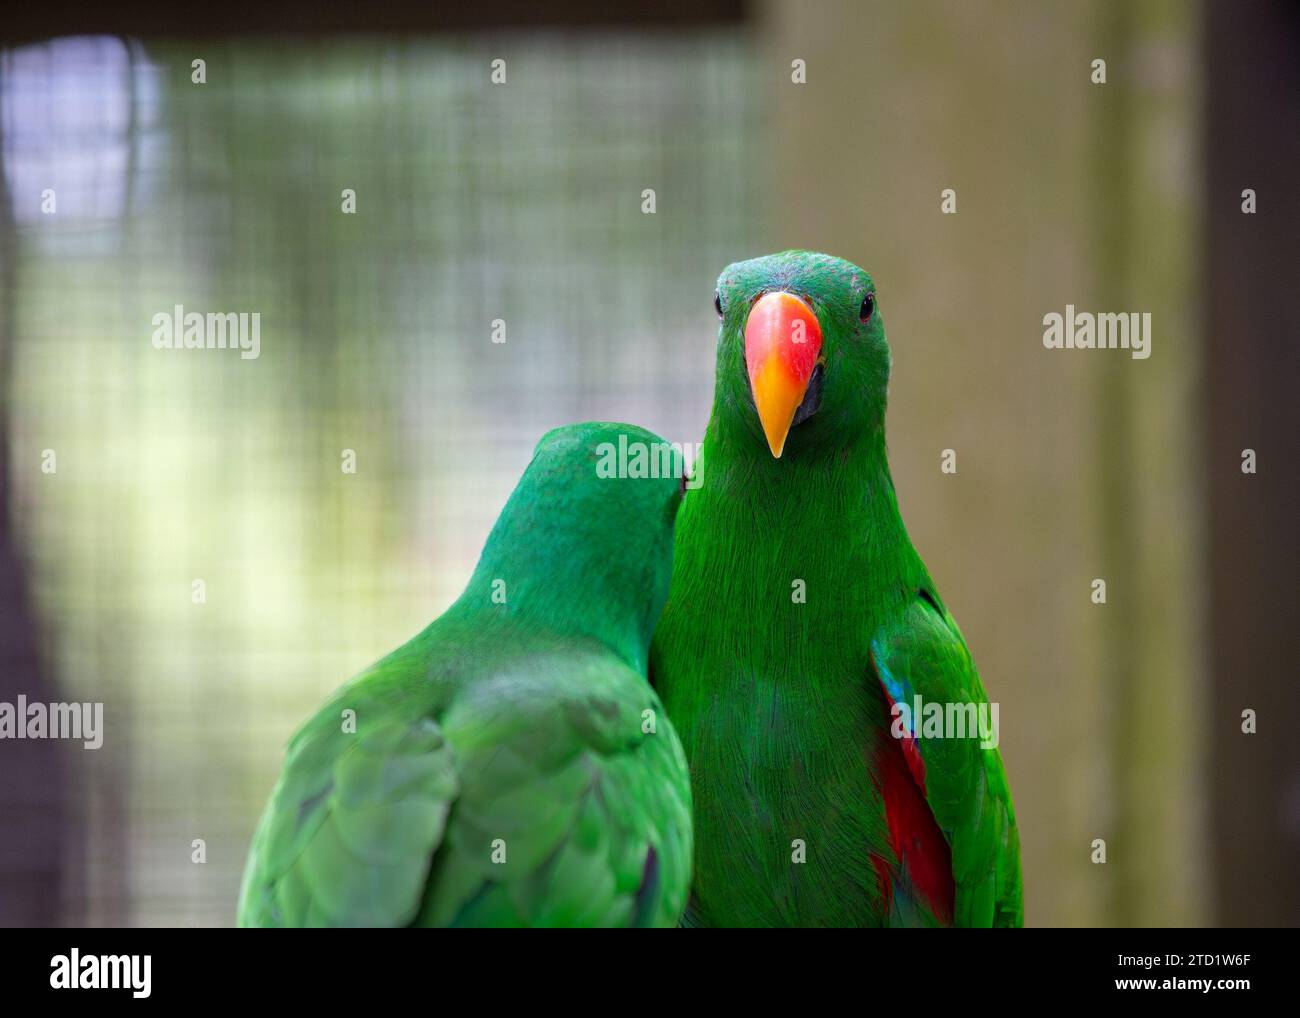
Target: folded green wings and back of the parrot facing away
[(535, 800)]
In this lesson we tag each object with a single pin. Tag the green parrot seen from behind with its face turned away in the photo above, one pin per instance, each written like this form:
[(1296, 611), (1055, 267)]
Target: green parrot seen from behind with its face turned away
[(510, 765)]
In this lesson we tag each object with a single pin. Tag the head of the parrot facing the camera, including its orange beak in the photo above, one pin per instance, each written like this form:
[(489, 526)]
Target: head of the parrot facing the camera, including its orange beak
[(803, 358)]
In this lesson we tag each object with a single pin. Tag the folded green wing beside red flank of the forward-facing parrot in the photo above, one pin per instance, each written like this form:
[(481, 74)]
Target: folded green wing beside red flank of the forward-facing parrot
[(921, 652)]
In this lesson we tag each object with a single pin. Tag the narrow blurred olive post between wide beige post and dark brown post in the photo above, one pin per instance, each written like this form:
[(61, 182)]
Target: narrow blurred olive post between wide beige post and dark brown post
[(1149, 469)]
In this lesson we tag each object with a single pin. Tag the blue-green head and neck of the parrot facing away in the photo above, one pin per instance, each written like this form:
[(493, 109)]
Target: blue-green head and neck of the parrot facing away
[(584, 544)]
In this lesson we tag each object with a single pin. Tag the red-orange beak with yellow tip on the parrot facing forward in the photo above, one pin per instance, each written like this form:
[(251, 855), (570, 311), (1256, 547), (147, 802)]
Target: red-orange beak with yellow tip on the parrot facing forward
[(783, 343)]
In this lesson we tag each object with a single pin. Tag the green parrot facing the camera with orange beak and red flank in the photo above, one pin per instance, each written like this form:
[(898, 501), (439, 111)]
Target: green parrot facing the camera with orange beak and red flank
[(804, 643)]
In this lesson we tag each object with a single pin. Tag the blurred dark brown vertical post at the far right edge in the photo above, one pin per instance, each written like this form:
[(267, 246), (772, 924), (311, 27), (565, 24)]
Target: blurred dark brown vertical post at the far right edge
[(1251, 304)]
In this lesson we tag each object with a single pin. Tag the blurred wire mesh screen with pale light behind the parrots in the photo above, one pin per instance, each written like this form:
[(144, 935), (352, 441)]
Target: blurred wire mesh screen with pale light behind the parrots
[(205, 565)]
